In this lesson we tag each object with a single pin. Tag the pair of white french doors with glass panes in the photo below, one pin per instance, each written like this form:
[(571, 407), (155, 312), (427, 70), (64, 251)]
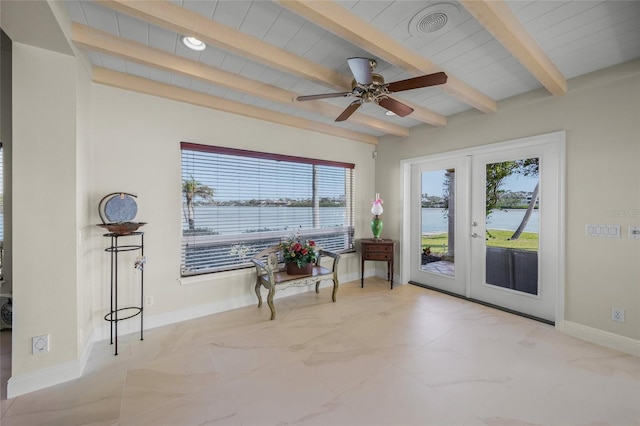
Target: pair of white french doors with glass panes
[(486, 224)]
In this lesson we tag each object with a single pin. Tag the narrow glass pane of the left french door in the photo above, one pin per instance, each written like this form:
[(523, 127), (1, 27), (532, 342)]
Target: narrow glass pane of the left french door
[(438, 222)]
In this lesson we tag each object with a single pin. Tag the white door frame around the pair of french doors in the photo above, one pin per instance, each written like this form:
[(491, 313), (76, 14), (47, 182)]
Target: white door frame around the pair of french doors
[(556, 138)]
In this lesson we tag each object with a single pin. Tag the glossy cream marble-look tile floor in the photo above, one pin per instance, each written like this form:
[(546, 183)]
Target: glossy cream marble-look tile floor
[(407, 356)]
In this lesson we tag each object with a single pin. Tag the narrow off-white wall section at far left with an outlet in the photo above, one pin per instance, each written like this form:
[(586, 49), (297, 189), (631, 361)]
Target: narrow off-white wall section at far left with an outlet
[(44, 207)]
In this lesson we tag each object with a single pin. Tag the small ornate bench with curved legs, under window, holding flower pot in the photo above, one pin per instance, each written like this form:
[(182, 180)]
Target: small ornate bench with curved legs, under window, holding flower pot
[(271, 274)]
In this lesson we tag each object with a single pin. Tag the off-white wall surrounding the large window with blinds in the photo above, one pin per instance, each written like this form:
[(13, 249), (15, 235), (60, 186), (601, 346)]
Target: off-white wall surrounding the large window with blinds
[(137, 149)]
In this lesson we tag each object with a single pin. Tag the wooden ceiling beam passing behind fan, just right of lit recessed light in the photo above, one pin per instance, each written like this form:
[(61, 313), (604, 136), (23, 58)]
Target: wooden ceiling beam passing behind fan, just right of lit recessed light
[(180, 20)]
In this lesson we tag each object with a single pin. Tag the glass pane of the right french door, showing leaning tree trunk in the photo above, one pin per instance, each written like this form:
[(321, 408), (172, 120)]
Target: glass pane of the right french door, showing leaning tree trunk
[(512, 224)]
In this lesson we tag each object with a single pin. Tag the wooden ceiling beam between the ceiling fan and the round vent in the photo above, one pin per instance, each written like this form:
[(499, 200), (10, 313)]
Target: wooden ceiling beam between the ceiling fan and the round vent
[(345, 24)]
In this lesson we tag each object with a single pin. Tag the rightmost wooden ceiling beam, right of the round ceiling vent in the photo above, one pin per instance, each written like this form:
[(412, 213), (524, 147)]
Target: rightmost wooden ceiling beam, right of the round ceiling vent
[(498, 18)]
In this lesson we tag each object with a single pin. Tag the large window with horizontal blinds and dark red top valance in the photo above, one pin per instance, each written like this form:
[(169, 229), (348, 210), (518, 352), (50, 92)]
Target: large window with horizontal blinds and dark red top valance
[(236, 203)]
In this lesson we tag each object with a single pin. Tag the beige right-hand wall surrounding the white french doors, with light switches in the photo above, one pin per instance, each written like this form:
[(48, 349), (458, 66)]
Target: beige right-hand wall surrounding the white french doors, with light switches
[(601, 116)]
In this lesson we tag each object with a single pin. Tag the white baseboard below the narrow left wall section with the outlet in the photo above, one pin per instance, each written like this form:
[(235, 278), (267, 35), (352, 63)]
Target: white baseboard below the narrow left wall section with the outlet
[(40, 379)]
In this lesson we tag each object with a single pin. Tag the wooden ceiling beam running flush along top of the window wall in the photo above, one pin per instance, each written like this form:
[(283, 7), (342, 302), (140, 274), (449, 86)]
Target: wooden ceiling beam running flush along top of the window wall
[(167, 91)]
